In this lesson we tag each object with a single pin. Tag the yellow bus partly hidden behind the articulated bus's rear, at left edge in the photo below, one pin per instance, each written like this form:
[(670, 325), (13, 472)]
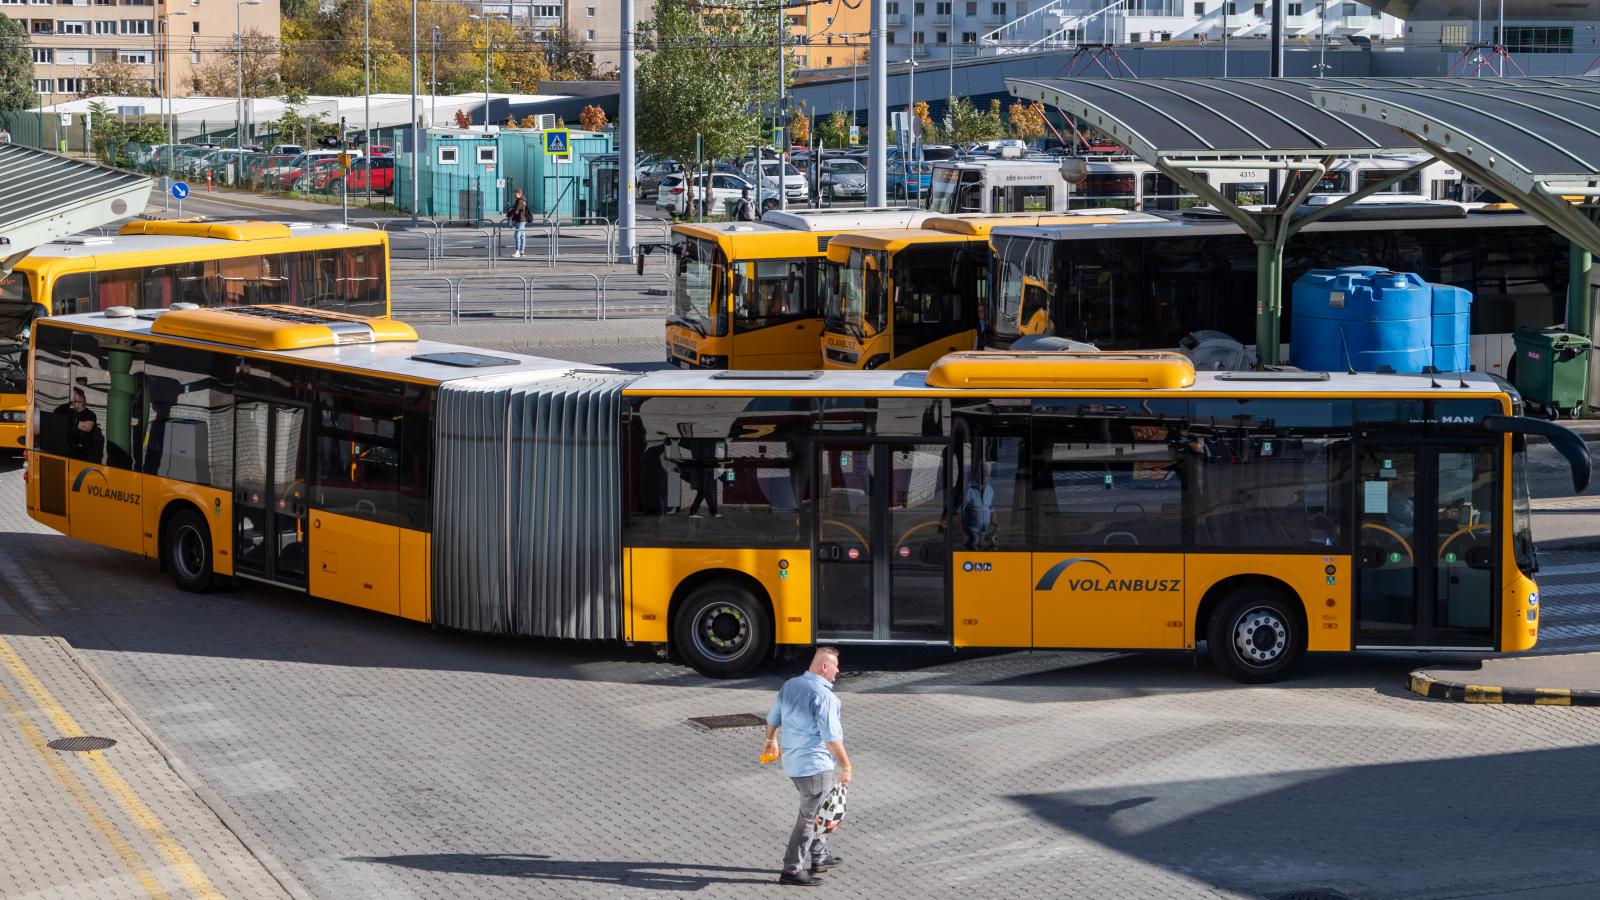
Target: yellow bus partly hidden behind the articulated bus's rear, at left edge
[(202, 263)]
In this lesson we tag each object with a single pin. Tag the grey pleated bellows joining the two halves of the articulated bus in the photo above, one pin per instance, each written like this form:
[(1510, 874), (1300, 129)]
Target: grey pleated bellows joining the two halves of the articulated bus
[(527, 484)]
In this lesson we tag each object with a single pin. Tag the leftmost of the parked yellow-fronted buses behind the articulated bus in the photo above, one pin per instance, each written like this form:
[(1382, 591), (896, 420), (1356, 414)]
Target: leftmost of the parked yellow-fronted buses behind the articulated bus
[(748, 295)]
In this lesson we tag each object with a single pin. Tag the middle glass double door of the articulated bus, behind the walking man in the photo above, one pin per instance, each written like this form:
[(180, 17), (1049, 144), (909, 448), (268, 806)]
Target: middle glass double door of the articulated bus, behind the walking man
[(882, 548)]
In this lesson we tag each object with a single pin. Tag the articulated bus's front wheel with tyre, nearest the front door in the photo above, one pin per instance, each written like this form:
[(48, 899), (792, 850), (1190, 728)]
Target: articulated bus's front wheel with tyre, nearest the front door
[(1257, 635)]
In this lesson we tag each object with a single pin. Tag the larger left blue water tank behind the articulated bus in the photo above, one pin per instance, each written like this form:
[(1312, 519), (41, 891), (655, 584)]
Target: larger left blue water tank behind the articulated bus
[(1362, 318)]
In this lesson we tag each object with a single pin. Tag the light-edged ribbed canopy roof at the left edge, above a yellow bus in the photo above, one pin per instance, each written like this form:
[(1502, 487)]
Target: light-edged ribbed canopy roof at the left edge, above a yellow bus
[(46, 196)]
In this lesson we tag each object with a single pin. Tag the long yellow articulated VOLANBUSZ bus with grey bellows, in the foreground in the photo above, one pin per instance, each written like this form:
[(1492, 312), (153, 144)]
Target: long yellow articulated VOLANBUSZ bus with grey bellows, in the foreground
[(998, 500)]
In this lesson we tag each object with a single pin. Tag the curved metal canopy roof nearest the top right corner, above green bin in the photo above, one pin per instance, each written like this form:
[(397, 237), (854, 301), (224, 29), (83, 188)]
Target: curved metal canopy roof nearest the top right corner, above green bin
[(1535, 142)]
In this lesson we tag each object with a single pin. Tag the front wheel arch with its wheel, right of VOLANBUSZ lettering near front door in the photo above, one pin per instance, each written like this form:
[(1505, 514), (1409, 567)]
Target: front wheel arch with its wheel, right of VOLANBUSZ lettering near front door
[(1255, 627)]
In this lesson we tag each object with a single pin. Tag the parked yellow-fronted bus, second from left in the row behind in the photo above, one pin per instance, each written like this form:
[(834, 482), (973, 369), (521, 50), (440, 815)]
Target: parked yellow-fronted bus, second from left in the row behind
[(902, 299)]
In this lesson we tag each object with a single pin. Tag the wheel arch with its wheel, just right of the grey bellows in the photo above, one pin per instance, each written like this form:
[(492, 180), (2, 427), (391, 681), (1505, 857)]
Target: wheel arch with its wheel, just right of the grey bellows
[(721, 622)]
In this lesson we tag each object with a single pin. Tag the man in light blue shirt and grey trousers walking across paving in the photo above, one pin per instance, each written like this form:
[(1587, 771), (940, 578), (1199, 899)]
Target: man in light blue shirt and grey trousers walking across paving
[(814, 742)]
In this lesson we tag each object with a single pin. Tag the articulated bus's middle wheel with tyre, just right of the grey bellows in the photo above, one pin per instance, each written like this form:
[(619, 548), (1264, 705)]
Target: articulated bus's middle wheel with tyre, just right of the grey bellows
[(724, 630)]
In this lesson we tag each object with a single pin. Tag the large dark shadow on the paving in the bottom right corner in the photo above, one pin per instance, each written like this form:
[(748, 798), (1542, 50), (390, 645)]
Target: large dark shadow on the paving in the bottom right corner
[(1366, 830)]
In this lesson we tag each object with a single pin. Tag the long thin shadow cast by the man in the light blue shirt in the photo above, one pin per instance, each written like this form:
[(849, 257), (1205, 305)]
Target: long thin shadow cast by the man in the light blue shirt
[(641, 875)]
